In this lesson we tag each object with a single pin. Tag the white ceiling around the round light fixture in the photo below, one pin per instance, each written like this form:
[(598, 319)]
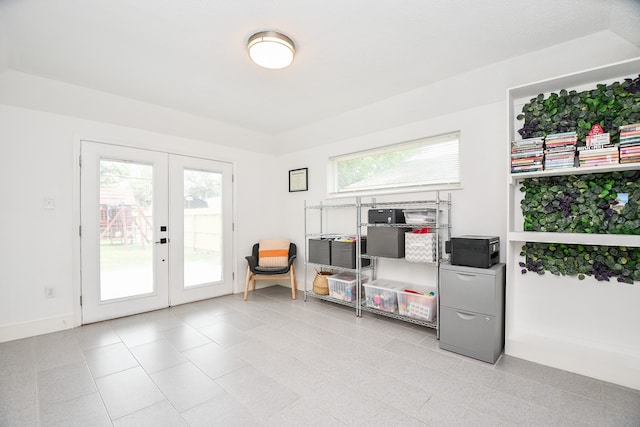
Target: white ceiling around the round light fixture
[(190, 55)]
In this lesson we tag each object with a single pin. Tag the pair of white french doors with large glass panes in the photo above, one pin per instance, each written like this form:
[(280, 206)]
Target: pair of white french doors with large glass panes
[(156, 230)]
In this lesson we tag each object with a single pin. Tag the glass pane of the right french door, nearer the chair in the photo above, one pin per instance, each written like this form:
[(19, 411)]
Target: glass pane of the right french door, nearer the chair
[(202, 227)]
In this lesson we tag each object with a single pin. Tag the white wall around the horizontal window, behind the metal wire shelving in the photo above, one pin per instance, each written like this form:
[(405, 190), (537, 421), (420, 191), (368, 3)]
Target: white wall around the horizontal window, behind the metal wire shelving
[(476, 209)]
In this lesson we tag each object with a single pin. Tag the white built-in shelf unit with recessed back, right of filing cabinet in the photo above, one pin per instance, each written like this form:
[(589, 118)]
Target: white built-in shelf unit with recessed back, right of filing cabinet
[(551, 320)]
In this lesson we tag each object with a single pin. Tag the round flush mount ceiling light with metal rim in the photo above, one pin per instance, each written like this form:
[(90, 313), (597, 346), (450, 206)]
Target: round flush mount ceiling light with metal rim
[(270, 49)]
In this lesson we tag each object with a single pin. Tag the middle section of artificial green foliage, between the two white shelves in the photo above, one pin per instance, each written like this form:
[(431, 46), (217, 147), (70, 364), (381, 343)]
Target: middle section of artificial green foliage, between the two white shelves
[(583, 203)]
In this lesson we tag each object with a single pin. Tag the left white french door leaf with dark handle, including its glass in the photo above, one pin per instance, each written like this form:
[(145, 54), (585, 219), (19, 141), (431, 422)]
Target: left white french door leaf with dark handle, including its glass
[(124, 236)]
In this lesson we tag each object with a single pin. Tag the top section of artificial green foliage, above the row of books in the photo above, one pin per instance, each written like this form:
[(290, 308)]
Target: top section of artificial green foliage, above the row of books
[(610, 105)]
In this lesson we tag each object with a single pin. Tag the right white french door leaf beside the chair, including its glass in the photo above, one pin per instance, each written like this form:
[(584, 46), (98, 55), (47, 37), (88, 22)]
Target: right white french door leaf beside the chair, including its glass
[(200, 224)]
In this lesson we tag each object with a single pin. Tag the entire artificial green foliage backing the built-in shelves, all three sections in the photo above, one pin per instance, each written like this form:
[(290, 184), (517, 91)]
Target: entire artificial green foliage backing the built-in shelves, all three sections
[(583, 203)]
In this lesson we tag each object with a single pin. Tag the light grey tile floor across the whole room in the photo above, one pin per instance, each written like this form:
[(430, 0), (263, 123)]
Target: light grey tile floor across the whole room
[(272, 361)]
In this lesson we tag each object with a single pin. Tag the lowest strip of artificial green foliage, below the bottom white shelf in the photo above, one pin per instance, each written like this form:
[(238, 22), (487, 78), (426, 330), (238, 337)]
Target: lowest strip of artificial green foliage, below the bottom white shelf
[(601, 262)]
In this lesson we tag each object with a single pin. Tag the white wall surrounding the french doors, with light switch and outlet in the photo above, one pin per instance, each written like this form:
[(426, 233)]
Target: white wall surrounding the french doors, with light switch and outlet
[(39, 247)]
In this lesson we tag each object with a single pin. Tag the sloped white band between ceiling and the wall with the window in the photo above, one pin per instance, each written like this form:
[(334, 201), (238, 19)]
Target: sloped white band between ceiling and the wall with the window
[(478, 87)]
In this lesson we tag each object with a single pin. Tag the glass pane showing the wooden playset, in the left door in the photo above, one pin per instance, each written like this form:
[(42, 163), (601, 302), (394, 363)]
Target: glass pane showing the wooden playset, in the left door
[(126, 229)]
